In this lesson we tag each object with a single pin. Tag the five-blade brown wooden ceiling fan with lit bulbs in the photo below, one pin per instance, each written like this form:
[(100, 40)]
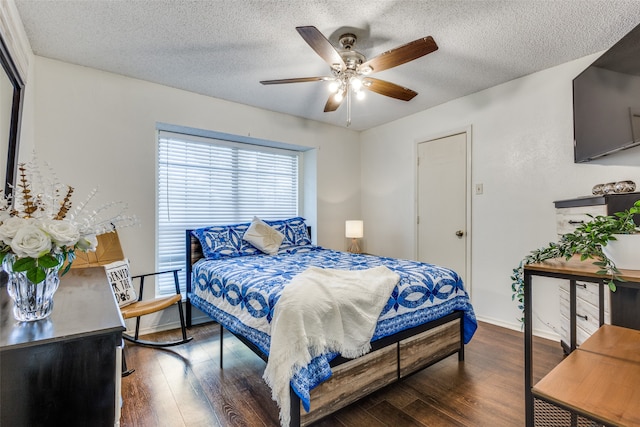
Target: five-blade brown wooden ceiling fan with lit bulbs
[(350, 69)]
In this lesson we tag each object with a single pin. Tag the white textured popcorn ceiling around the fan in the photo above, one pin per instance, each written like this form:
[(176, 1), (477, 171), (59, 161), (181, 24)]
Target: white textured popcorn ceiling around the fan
[(223, 48)]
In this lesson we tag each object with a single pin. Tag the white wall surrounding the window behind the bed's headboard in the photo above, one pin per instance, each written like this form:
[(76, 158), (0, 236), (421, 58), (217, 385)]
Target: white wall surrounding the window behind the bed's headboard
[(98, 129)]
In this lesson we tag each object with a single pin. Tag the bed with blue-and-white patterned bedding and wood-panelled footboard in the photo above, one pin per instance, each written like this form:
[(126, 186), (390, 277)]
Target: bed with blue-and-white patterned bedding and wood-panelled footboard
[(428, 316)]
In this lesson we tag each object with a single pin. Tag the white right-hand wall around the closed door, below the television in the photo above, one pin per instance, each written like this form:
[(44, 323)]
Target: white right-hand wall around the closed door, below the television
[(522, 151)]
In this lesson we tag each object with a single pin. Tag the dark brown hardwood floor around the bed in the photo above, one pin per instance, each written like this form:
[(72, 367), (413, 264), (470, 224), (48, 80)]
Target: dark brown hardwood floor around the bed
[(184, 386)]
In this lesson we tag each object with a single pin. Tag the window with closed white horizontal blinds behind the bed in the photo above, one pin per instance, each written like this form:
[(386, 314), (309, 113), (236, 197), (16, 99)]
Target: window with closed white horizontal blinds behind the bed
[(204, 181)]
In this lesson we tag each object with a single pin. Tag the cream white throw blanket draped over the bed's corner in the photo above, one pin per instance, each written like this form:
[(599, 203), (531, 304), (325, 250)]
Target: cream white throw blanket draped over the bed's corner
[(320, 311)]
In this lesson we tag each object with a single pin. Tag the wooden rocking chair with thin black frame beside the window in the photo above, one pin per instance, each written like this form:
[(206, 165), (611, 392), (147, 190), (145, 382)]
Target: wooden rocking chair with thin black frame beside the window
[(109, 251)]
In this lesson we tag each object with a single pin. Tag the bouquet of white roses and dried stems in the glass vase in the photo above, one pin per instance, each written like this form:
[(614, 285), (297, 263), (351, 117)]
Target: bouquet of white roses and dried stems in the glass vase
[(40, 230)]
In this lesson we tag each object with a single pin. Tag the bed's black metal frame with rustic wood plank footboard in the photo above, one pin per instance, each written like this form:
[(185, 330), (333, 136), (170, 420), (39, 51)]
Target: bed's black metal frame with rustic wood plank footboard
[(390, 359)]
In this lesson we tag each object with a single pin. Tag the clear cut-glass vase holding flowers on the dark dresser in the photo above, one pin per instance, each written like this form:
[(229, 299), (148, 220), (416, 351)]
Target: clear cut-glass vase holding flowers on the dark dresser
[(30, 301)]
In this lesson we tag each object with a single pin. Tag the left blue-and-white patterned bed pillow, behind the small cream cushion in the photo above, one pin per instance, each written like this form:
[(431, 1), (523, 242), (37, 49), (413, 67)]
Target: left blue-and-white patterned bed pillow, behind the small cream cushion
[(220, 241)]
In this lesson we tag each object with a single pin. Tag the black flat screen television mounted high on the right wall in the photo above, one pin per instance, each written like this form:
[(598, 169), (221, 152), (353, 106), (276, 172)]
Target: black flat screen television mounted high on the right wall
[(606, 101)]
